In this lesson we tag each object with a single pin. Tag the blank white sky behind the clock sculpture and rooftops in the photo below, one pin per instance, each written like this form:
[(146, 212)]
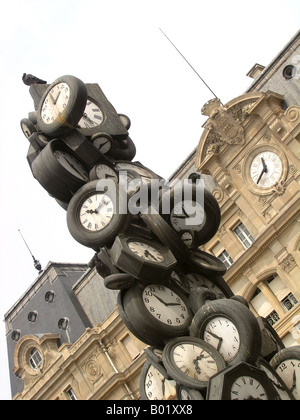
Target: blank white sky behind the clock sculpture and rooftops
[(117, 44)]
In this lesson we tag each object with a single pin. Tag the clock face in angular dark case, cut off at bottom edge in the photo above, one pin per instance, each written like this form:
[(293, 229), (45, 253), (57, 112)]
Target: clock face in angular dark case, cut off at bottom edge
[(247, 388)]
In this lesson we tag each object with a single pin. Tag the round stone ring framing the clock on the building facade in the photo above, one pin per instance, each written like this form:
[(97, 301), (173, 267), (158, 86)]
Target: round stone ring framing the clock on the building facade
[(256, 188)]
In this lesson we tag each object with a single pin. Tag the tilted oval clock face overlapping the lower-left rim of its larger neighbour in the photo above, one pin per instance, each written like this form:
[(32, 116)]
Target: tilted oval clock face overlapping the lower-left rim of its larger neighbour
[(194, 361)]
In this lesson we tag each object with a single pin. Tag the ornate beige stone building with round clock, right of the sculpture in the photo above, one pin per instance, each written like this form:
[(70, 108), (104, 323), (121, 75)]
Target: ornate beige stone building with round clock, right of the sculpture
[(250, 146)]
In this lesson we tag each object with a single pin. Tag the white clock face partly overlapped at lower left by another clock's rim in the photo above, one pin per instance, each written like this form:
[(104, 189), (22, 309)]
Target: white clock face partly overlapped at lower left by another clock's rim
[(223, 335)]
